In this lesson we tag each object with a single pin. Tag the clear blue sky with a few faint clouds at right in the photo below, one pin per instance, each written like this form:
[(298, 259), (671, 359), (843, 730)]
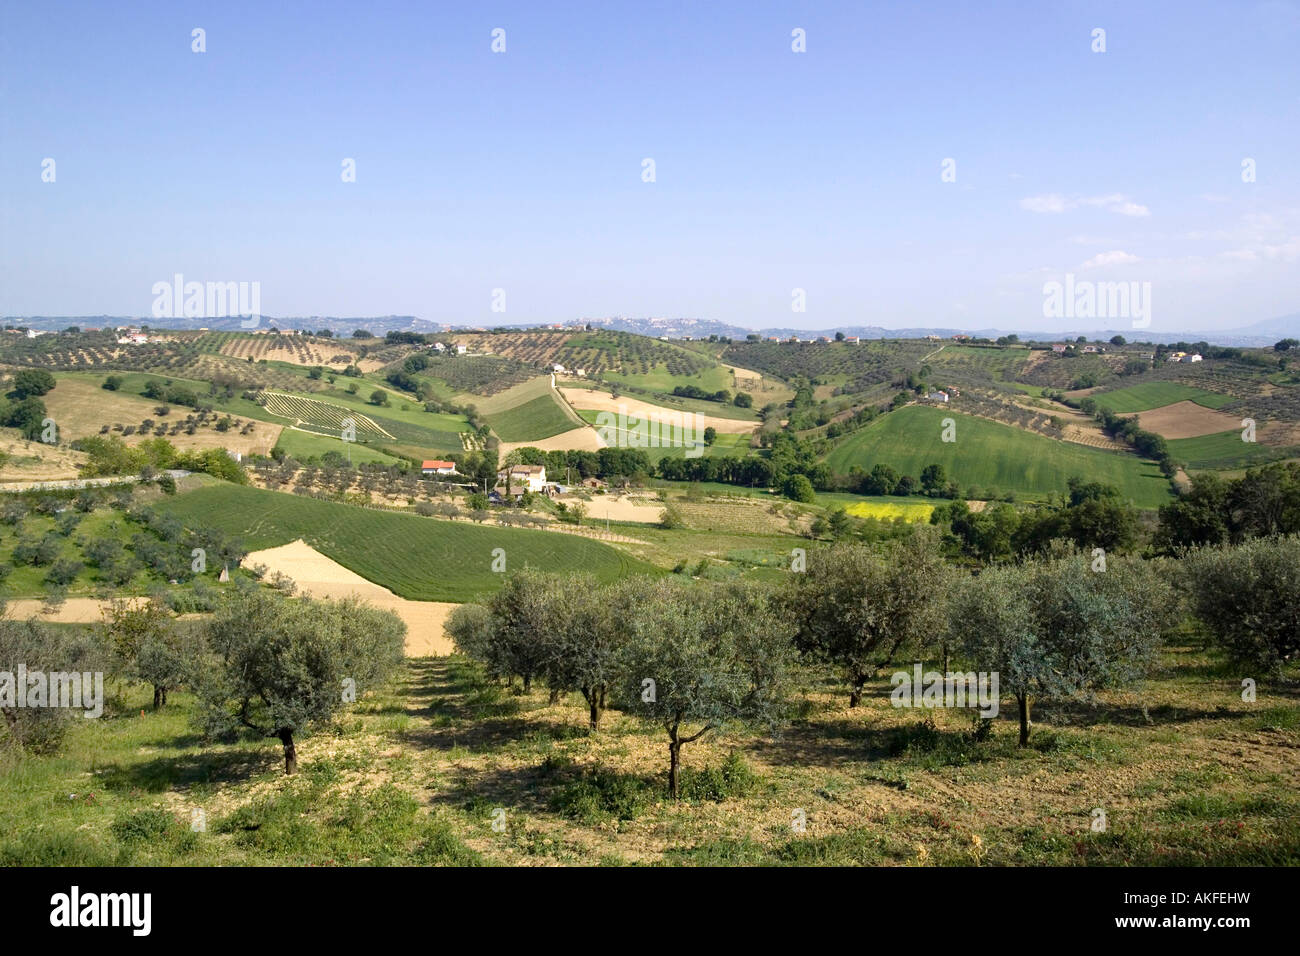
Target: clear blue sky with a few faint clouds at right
[(918, 165)]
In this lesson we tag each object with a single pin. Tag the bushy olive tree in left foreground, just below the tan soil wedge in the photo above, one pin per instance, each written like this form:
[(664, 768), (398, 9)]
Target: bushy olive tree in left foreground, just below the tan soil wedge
[(284, 665)]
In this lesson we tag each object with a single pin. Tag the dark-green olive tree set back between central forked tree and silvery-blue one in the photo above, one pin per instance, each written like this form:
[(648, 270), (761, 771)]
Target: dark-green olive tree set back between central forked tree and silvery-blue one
[(860, 611)]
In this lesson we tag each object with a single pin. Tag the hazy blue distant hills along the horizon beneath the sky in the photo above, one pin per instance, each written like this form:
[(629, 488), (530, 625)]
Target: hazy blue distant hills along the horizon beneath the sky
[(1263, 334)]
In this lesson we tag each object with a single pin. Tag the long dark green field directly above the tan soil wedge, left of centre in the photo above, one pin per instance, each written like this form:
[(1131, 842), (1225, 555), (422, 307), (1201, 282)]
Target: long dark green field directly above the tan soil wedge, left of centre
[(418, 559)]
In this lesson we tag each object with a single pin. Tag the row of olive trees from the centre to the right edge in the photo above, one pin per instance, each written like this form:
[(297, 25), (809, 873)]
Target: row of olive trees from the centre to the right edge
[(694, 656)]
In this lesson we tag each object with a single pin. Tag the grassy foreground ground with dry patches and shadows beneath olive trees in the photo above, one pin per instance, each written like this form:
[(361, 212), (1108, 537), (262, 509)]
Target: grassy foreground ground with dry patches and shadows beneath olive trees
[(1186, 773)]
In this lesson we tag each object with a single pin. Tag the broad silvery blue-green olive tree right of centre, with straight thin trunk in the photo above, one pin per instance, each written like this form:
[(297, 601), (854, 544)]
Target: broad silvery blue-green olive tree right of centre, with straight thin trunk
[(1060, 629)]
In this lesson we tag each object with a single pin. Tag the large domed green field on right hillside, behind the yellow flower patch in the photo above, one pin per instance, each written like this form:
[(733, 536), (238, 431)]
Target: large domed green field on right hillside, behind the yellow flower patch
[(994, 457)]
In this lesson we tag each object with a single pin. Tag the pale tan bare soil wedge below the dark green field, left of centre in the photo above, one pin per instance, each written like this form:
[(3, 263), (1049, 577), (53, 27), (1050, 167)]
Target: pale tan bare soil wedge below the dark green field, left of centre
[(320, 577)]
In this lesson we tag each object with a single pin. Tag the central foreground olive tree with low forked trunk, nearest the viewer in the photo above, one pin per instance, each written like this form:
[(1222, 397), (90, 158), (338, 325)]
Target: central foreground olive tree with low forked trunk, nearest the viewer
[(700, 656)]
